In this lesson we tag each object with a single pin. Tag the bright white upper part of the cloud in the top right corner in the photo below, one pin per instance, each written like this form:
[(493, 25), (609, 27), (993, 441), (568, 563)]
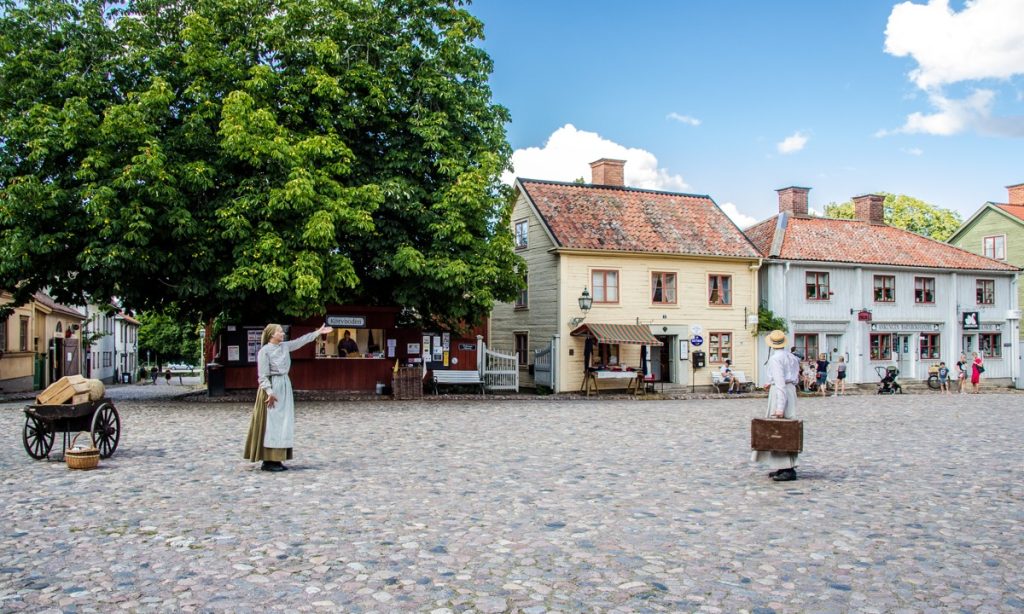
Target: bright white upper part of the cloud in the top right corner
[(984, 41)]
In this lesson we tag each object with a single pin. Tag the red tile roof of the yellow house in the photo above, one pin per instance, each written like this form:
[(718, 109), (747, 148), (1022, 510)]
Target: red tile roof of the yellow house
[(625, 220)]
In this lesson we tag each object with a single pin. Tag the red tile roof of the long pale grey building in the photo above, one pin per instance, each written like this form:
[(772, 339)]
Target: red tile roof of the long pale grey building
[(855, 242)]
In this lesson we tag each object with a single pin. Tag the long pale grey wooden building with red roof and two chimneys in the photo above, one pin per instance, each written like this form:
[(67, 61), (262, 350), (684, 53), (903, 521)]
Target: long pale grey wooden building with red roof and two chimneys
[(880, 296)]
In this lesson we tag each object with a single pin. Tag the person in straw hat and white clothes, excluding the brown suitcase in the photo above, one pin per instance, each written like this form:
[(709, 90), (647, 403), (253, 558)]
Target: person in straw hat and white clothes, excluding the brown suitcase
[(784, 373)]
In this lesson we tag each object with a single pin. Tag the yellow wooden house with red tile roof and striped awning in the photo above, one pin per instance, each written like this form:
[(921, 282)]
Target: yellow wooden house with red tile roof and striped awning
[(666, 264)]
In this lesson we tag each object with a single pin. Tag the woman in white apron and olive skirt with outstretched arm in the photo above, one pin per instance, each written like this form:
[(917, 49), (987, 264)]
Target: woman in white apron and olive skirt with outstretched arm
[(272, 430)]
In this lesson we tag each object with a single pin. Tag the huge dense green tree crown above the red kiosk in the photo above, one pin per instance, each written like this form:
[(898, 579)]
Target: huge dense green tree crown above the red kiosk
[(254, 158)]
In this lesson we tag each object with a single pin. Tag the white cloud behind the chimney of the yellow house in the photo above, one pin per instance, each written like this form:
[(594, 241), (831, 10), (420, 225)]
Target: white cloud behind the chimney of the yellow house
[(568, 155)]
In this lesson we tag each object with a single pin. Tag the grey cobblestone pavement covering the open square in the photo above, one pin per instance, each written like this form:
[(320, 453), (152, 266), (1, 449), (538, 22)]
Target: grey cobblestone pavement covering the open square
[(907, 504)]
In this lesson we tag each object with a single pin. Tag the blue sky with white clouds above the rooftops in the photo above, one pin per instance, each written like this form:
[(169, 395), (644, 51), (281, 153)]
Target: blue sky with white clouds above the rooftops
[(736, 100)]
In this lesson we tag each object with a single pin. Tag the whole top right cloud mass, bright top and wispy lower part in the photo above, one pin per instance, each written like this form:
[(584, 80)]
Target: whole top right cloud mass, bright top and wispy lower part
[(985, 41)]
